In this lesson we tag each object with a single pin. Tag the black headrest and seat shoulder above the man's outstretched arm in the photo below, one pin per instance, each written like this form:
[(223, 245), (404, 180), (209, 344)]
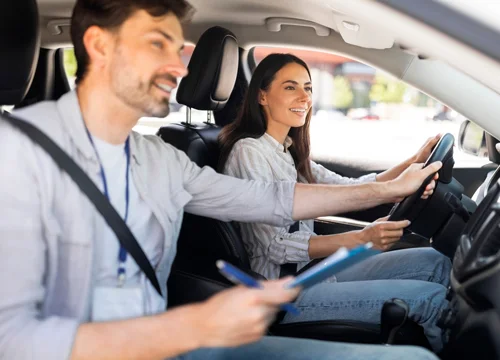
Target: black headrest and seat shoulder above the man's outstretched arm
[(212, 74)]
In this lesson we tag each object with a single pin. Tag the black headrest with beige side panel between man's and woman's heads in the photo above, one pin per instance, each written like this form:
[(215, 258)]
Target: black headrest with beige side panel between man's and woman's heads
[(212, 71)]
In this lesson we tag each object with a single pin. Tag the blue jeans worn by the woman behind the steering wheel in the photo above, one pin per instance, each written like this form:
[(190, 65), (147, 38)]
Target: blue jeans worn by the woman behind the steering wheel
[(418, 276)]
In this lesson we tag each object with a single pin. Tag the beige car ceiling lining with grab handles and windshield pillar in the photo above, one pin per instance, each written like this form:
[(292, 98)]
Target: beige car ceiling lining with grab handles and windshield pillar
[(381, 40)]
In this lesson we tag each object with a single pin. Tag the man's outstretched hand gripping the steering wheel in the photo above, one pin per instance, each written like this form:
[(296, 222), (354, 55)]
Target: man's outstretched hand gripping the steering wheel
[(412, 178)]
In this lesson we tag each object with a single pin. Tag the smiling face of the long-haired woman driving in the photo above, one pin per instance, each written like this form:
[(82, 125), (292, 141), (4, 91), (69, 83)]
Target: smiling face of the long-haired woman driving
[(289, 97)]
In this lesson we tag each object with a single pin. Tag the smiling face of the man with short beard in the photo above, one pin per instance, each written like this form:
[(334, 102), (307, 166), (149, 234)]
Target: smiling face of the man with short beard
[(146, 62)]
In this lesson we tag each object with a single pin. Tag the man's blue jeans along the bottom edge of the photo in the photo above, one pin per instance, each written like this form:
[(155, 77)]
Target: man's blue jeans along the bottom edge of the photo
[(277, 348)]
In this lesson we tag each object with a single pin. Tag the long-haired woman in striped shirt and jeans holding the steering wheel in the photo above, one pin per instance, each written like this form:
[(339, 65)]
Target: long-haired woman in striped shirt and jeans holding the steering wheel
[(270, 141)]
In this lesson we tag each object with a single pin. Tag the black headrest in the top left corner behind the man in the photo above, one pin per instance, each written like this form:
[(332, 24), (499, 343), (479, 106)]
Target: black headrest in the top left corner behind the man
[(19, 44)]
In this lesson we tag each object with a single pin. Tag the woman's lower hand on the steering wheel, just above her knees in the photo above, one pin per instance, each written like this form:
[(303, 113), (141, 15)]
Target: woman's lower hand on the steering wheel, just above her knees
[(383, 233)]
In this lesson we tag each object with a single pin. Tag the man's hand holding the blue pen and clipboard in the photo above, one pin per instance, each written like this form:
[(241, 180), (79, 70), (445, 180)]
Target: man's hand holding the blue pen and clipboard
[(241, 315)]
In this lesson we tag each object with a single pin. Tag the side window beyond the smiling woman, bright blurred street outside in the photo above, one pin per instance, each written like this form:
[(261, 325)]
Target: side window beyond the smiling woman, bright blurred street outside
[(365, 117)]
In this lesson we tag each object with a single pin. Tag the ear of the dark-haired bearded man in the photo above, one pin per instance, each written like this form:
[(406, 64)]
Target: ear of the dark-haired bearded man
[(97, 42)]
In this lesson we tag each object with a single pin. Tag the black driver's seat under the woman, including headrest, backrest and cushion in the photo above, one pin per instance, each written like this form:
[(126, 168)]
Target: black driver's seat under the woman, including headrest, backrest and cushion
[(202, 240)]
